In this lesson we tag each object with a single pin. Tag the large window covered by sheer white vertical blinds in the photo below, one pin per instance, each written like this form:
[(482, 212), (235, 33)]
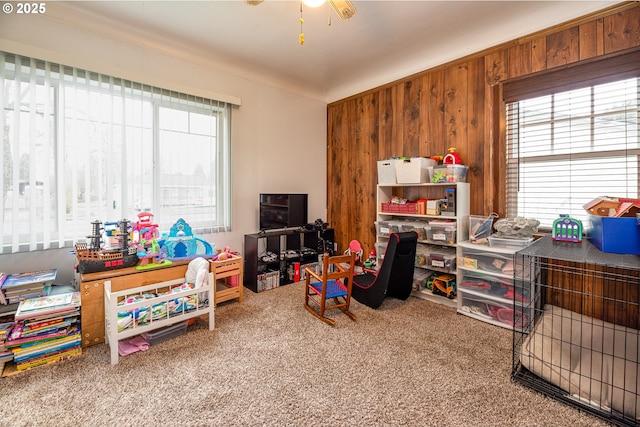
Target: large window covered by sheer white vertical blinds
[(79, 146)]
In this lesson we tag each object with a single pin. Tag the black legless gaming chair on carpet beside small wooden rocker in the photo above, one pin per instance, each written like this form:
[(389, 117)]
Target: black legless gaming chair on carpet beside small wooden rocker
[(395, 276)]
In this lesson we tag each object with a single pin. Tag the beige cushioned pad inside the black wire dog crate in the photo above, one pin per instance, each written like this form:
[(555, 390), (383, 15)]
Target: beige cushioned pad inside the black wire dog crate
[(592, 360)]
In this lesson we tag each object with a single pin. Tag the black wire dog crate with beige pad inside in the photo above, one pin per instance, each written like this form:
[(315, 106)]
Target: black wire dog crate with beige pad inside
[(583, 346)]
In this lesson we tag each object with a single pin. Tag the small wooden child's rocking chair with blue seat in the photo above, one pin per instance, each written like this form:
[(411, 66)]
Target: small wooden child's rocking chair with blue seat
[(332, 288)]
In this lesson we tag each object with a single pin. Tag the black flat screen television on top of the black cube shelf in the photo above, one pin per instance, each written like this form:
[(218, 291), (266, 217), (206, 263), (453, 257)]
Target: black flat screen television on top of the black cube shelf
[(281, 210)]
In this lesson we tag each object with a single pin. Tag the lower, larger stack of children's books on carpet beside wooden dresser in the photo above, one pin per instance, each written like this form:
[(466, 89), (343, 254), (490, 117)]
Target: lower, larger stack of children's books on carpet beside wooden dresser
[(46, 330)]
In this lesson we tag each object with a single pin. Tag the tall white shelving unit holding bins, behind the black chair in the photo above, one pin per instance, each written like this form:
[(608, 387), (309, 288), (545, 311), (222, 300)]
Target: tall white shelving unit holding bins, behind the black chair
[(445, 248)]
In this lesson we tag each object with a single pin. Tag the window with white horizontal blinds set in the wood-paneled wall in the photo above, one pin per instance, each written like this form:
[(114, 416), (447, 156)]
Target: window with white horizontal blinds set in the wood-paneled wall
[(570, 143)]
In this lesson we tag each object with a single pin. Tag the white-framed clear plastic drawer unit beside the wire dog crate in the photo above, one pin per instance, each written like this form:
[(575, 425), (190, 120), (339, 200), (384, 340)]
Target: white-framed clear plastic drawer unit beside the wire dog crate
[(487, 288)]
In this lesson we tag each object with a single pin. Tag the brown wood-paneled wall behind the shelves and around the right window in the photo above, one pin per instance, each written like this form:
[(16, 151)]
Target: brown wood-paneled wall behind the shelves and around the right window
[(459, 105)]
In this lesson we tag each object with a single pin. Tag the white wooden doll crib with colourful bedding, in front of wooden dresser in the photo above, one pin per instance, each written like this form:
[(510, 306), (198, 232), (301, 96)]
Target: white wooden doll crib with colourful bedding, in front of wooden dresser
[(113, 304)]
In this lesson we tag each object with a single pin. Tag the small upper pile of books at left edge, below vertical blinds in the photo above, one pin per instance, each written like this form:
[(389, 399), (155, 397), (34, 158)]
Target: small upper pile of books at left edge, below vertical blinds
[(21, 286)]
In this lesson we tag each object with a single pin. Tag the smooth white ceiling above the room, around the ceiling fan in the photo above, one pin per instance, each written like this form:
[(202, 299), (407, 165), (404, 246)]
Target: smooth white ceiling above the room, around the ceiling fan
[(383, 42)]
